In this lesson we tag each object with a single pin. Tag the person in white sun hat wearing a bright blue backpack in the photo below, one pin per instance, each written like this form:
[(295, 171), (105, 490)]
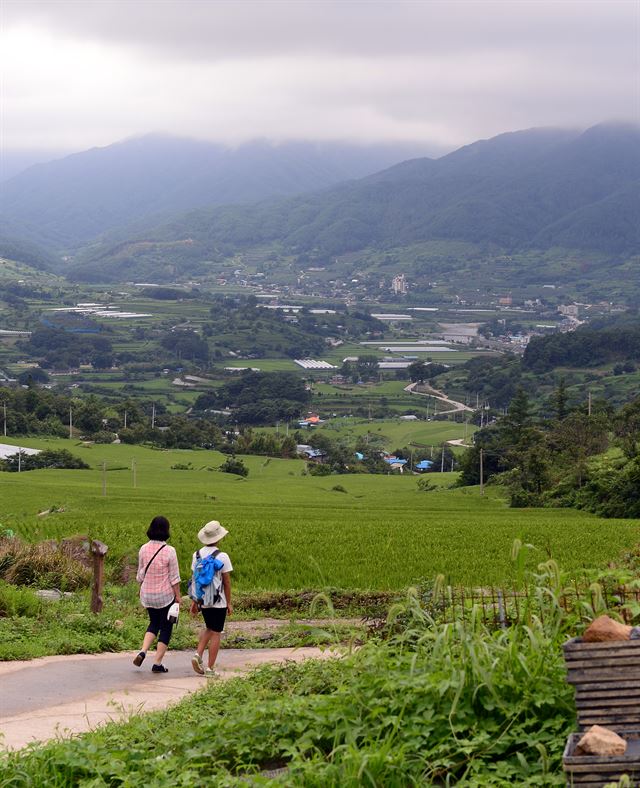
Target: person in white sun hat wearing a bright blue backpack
[(213, 600)]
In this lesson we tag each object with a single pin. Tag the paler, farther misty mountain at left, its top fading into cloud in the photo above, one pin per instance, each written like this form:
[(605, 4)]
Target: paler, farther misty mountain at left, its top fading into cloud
[(69, 201)]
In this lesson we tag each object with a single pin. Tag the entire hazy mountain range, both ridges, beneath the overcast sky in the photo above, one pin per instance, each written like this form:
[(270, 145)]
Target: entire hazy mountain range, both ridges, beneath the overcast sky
[(123, 210)]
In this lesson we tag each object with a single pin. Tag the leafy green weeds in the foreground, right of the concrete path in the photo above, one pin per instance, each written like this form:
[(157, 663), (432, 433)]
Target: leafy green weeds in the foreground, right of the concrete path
[(426, 703)]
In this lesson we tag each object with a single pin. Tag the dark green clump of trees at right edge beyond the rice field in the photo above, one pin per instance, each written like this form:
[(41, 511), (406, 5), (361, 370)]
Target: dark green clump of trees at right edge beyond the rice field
[(561, 461)]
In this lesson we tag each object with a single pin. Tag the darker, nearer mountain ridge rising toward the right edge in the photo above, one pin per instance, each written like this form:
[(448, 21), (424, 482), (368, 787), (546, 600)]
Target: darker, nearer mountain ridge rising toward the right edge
[(539, 188)]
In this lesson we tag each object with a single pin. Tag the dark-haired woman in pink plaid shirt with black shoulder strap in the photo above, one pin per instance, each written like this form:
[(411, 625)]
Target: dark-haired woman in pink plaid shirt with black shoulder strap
[(159, 579)]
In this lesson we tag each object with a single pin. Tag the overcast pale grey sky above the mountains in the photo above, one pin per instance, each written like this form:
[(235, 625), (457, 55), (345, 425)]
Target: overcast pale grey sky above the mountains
[(90, 72)]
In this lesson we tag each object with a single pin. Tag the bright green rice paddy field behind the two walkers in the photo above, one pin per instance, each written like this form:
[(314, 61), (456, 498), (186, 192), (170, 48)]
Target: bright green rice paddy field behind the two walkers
[(293, 531)]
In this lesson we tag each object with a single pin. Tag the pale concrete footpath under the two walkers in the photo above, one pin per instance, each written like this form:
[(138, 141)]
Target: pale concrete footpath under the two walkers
[(58, 696)]
